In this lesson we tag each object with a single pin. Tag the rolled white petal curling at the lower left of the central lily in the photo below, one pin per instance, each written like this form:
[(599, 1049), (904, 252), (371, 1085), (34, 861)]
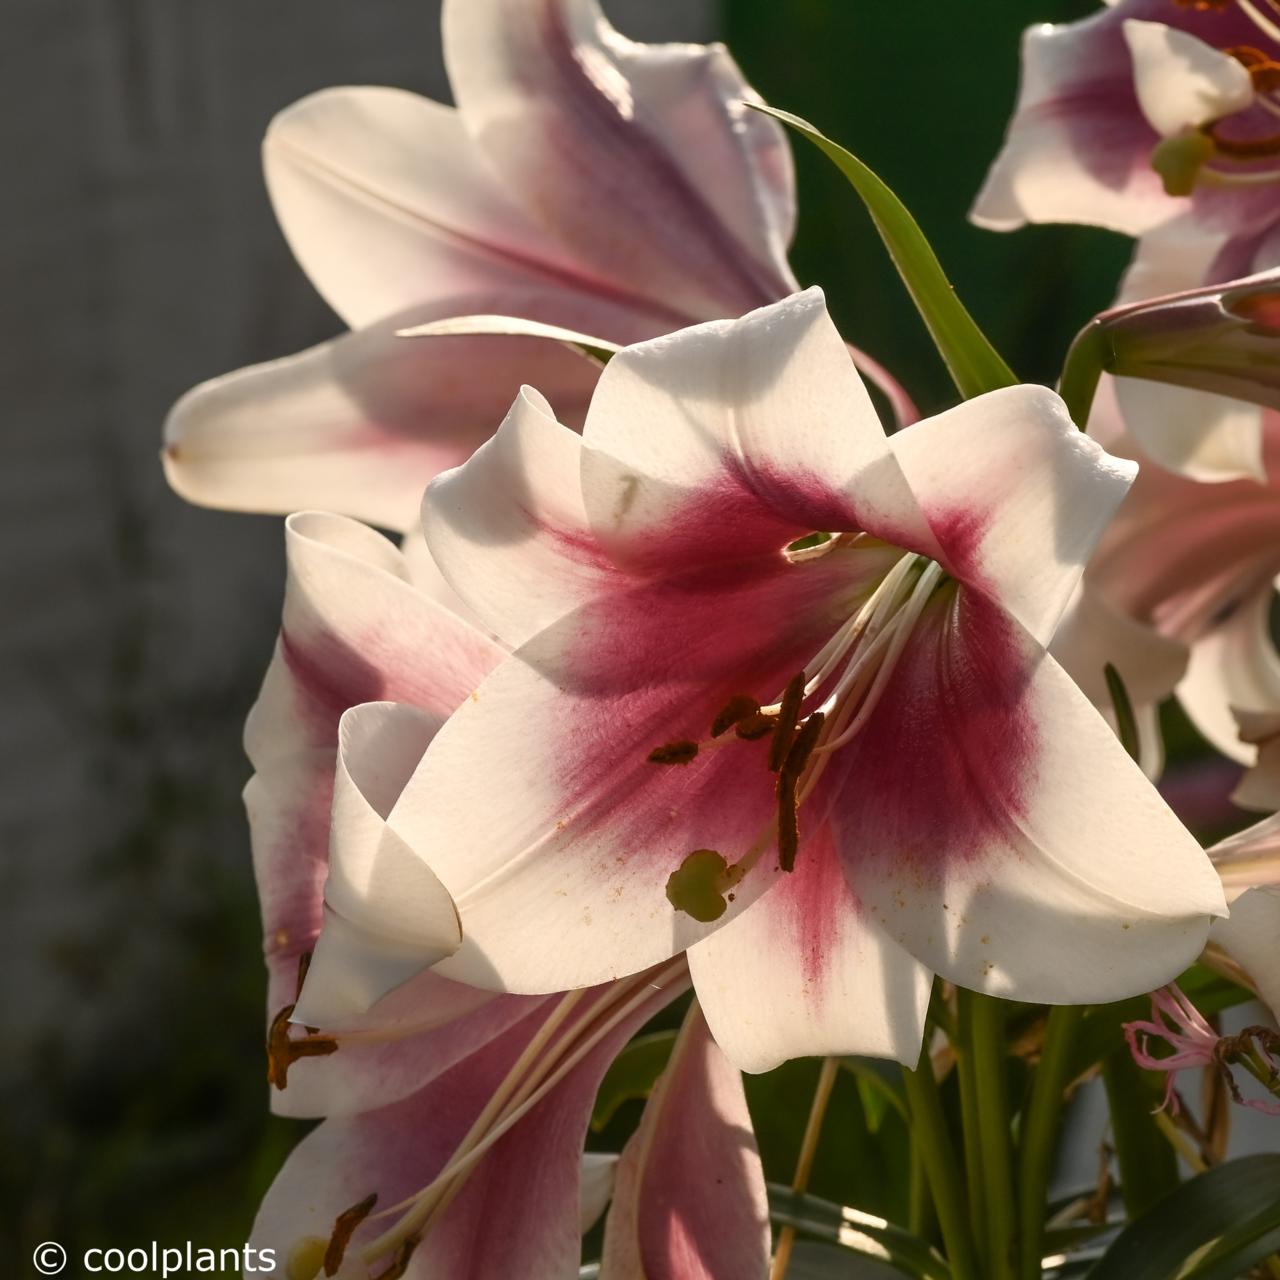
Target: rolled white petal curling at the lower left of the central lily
[(387, 916)]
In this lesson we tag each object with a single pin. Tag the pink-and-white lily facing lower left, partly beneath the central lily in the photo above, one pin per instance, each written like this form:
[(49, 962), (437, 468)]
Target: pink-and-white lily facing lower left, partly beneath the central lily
[(441, 1100)]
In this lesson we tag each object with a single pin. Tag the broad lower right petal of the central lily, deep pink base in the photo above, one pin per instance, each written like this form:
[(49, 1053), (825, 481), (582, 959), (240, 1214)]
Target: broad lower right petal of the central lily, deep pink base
[(991, 821)]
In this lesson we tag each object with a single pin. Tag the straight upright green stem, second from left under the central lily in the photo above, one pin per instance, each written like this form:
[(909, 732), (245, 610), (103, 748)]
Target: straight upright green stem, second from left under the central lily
[(988, 1032)]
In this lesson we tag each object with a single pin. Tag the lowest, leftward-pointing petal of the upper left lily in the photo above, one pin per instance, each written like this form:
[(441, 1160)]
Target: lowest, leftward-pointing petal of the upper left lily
[(362, 424)]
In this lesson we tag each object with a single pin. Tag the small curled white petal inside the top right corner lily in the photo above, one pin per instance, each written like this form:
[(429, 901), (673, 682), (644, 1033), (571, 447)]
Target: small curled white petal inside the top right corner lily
[(1182, 83)]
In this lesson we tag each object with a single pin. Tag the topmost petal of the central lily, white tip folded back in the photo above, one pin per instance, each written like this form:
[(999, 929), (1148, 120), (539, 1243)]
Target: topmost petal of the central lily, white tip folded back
[(734, 438)]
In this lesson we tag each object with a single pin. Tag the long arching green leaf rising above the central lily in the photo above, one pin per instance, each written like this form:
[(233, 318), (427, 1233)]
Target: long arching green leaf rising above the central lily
[(975, 364)]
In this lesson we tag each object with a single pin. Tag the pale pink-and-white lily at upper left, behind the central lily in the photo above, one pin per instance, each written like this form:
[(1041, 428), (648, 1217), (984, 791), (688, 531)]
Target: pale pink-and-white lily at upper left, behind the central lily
[(583, 181)]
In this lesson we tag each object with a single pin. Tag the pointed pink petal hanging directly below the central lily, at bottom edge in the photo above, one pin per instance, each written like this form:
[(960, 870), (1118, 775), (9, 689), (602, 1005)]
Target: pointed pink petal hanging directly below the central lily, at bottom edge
[(691, 1201)]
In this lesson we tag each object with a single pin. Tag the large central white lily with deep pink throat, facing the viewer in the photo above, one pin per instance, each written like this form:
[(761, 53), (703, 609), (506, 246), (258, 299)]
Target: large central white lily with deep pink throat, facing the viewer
[(780, 697)]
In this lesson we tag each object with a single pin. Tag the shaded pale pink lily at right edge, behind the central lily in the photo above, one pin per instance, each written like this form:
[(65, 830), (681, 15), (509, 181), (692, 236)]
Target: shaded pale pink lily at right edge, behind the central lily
[(1178, 598)]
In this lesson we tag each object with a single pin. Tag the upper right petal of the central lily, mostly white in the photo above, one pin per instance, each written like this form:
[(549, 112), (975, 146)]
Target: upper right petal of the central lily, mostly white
[(1017, 497)]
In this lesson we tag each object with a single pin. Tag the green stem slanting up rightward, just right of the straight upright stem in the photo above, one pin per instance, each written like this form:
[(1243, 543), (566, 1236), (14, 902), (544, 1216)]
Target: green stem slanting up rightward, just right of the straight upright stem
[(1040, 1135)]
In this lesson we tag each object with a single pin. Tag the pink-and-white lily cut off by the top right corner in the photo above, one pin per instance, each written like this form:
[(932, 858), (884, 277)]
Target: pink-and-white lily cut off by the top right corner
[(1149, 112)]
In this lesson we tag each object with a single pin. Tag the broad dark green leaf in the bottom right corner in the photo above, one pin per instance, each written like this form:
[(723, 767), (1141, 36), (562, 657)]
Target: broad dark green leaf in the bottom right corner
[(1236, 1208)]
